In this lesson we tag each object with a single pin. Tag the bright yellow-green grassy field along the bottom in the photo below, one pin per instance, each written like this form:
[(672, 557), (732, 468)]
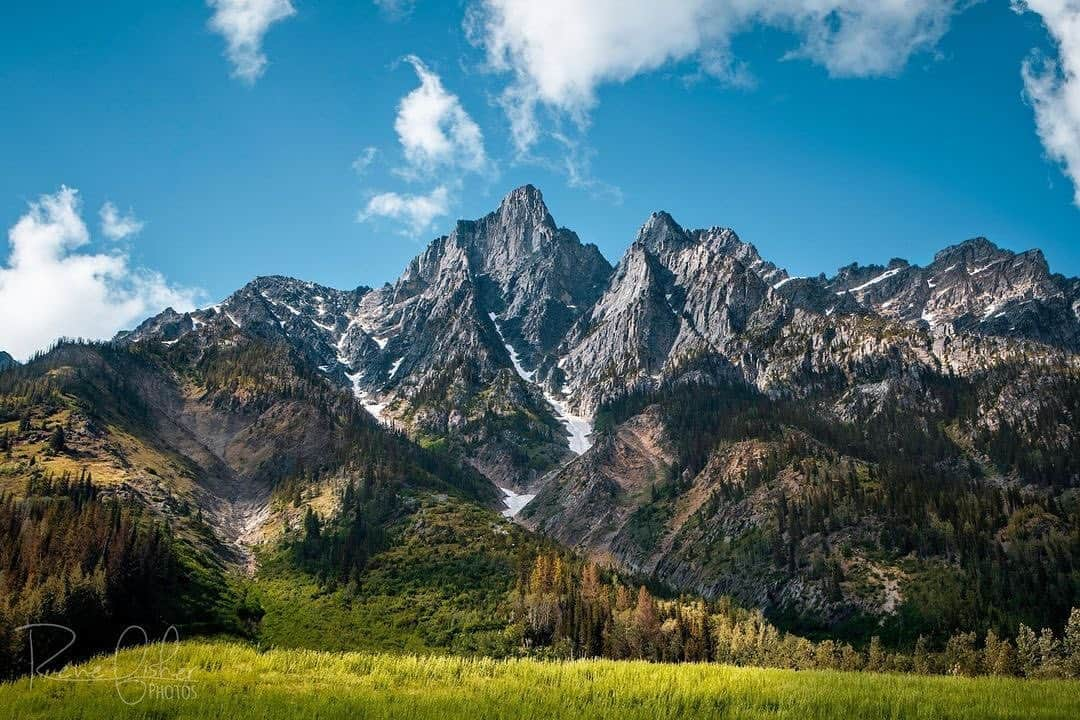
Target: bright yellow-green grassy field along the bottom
[(227, 681)]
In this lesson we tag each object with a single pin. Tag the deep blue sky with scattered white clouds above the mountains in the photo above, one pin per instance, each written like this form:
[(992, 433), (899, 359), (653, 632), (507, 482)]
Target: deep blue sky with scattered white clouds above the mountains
[(921, 135)]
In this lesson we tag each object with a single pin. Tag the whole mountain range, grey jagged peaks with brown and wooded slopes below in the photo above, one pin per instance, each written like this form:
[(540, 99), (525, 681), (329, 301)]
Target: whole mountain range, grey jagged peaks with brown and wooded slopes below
[(893, 445)]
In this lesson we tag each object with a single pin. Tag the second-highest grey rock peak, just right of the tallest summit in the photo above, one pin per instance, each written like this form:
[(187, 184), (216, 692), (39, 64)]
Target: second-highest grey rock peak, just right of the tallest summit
[(676, 298)]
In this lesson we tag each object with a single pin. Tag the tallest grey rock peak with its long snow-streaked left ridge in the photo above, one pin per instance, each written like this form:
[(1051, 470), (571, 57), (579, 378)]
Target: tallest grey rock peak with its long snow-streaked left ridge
[(436, 354)]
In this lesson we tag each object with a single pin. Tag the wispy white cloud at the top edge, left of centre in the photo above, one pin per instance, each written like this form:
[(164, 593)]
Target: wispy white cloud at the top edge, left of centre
[(244, 23)]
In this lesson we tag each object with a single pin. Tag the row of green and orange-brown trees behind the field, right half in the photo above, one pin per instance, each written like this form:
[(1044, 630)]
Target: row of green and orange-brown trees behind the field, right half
[(571, 609)]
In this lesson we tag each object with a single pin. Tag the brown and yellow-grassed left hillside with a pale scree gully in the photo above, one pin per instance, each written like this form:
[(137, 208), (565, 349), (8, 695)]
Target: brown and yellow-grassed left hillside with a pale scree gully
[(198, 426)]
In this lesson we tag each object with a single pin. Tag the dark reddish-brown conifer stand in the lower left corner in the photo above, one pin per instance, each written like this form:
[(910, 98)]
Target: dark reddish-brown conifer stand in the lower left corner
[(72, 556)]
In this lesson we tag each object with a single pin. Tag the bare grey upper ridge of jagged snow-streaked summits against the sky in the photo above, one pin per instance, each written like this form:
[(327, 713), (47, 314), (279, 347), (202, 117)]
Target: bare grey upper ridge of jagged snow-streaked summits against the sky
[(511, 310)]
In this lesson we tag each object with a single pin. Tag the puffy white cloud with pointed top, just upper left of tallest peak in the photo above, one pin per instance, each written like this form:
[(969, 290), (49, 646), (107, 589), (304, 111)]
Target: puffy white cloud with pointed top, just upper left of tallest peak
[(436, 132)]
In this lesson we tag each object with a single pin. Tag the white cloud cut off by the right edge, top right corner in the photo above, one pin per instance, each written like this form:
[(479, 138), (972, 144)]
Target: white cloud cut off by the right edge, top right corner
[(1054, 87)]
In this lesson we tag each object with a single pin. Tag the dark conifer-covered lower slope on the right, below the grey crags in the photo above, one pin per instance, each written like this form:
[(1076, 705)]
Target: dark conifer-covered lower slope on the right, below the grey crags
[(885, 504)]
